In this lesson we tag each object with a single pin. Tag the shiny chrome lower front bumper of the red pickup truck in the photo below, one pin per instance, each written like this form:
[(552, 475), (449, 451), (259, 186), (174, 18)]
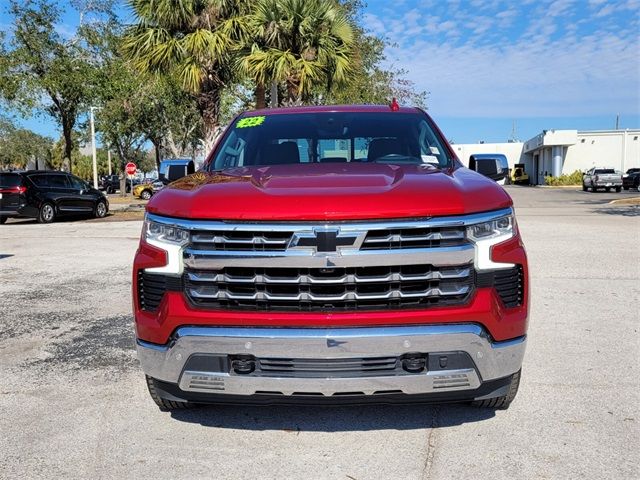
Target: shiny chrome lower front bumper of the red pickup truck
[(493, 360)]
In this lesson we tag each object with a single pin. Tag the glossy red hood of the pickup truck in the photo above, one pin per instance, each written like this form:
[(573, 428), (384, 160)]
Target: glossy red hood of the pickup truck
[(328, 192)]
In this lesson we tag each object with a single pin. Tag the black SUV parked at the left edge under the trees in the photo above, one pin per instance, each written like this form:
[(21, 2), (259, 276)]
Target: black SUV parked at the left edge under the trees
[(46, 195)]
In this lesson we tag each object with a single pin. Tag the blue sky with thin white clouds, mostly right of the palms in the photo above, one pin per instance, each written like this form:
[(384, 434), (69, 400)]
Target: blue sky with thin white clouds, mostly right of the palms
[(544, 64)]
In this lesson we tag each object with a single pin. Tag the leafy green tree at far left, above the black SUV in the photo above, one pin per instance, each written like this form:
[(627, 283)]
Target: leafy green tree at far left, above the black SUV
[(41, 70)]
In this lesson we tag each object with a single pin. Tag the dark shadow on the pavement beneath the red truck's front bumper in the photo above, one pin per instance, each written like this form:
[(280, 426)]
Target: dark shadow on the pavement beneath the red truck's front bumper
[(329, 419)]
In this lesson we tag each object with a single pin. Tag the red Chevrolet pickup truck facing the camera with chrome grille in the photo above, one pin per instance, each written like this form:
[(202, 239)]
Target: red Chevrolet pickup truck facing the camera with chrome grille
[(331, 254)]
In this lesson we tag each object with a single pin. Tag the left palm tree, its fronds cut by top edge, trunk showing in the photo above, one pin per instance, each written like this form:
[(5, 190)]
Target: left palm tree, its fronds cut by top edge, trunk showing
[(193, 39)]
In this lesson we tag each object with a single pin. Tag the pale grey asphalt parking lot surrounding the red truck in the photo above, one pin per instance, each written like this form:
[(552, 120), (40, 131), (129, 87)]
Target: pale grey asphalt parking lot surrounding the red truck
[(74, 404)]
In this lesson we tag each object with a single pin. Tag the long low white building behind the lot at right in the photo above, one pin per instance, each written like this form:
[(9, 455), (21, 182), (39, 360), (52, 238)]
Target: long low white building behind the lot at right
[(556, 152)]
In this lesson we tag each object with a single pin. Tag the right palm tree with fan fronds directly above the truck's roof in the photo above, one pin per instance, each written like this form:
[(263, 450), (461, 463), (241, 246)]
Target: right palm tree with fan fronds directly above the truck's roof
[(303, 43)]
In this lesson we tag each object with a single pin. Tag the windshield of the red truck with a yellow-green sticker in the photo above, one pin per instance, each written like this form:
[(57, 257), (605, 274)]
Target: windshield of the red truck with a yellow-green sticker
[(331, 137)]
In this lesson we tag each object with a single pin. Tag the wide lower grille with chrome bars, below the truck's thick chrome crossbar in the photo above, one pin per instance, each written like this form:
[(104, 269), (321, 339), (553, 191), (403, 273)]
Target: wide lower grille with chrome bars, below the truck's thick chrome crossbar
[(326, 289)]
